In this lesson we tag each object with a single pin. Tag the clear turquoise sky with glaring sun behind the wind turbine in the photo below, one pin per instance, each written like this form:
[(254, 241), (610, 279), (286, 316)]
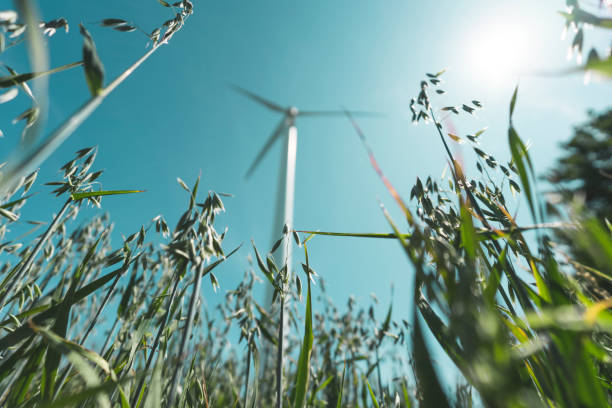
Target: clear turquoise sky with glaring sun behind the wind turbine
[(176, 115)]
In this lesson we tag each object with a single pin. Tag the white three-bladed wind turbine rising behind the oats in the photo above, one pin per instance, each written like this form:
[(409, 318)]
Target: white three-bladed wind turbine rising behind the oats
[(286, 187)]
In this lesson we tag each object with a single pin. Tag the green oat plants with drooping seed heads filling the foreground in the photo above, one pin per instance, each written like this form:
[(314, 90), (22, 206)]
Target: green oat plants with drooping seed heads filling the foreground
[(508, 310)]
